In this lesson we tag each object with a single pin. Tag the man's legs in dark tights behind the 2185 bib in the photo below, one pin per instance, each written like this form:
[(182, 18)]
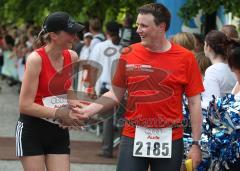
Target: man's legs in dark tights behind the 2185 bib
[(127, 162)]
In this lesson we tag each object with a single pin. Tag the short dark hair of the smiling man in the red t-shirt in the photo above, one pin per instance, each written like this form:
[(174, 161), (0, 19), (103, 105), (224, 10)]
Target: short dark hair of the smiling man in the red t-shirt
[(159, 11)]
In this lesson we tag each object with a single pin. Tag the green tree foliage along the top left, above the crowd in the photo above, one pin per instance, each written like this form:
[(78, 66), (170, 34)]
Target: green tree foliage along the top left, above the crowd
[(34, 11)]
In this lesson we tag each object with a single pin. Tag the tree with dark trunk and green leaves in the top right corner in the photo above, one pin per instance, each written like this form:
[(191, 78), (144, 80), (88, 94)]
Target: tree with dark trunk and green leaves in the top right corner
[(209, 8)]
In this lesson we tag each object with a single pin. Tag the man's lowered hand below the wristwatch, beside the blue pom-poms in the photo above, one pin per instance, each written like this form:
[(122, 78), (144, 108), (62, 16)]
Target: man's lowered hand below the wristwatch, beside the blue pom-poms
[(196, 155)]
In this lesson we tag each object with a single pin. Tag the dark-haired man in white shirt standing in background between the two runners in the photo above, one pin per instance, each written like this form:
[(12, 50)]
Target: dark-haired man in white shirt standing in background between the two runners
[(106, 53)]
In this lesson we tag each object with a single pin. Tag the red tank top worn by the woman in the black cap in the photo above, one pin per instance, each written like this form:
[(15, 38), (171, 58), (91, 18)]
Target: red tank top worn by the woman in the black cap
[(51, 82)]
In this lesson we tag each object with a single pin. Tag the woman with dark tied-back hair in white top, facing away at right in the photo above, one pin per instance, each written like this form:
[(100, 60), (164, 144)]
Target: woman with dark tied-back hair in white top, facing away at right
[(218, 79)]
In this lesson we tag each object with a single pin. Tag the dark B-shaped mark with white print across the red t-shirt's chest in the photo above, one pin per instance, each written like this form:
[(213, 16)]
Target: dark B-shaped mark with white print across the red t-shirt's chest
[(144, 85)]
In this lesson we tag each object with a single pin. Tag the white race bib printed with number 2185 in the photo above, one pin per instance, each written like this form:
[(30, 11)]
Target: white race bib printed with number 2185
[(153, 142)]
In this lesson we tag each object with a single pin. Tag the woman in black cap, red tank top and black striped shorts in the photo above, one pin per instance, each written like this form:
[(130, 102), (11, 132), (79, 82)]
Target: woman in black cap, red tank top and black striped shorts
[(40, 142)]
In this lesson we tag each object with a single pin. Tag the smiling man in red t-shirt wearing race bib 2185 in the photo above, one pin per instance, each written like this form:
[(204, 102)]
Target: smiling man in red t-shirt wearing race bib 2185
[(155, 73)]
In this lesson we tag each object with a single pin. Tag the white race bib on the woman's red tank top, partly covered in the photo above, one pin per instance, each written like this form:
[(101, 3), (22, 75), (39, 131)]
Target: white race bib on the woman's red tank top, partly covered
[(55, 101)]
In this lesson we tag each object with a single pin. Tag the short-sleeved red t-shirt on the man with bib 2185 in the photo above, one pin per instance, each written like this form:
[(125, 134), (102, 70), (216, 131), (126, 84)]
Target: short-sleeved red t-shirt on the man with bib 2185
[(155, 83)]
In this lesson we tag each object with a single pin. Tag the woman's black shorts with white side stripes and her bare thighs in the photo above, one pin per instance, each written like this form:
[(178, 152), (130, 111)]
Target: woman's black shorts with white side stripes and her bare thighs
[(41, 144)]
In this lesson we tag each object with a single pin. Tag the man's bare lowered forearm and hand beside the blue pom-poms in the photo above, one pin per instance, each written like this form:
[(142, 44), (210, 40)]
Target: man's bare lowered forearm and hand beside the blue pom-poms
[(196, 123)]
